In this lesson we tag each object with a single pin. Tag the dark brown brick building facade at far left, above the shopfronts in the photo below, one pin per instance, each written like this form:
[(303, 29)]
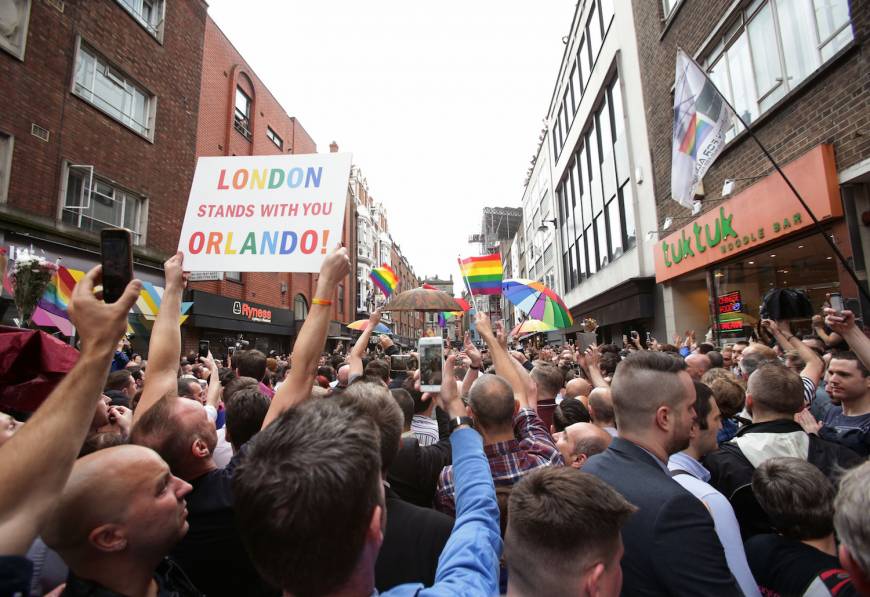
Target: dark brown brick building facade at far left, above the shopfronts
[(98, 126)]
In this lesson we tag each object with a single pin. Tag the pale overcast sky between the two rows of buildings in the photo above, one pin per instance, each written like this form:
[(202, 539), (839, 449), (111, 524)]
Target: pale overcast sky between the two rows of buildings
[(441, 103)]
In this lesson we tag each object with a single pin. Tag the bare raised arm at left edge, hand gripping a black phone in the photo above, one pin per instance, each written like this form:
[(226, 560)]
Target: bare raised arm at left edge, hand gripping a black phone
[(35, 463)]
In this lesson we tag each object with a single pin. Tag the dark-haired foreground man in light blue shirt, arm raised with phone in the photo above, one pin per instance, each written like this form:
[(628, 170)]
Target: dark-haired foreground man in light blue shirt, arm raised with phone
[(305, 467)]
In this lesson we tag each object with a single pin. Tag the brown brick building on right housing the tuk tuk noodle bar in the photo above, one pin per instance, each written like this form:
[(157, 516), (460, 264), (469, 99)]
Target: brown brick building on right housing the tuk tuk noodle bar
[(799, 74)]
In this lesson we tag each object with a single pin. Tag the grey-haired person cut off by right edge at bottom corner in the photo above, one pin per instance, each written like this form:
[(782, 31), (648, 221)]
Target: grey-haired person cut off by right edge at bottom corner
[(853, 525)]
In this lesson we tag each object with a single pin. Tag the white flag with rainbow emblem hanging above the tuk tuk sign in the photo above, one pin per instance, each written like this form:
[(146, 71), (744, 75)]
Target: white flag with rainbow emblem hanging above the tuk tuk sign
[(701, 118)]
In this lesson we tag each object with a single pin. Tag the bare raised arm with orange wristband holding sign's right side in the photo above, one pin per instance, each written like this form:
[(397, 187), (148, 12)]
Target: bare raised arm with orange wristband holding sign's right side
[(312, 337)]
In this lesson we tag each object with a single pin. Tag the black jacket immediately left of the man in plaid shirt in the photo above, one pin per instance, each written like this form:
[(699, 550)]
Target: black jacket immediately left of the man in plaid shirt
[(413, 475)]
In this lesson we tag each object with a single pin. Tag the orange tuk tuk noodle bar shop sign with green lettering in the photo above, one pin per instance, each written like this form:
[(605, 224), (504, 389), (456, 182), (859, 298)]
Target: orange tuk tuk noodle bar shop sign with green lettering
[(764, 212)]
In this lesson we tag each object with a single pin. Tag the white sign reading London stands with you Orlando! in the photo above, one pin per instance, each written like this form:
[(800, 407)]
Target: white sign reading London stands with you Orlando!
[(276, 213)]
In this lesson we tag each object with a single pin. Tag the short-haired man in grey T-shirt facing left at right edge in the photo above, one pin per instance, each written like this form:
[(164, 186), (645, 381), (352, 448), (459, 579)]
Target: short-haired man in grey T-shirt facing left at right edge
[(849, 423)]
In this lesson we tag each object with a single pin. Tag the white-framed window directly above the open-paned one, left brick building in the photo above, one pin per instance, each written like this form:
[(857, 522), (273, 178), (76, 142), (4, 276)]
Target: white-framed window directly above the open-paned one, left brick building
[(111, 91)]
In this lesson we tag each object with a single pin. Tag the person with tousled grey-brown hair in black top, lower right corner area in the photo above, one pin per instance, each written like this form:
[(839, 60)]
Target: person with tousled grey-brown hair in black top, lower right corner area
[(801, 558)]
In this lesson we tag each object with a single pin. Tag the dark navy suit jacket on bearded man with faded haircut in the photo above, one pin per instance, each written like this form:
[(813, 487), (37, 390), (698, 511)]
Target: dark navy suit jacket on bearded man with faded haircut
[(671, 546)]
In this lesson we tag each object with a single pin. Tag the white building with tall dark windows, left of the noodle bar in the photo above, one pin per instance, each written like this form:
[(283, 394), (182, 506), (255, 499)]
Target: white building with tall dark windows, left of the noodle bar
[(598, 155)]
